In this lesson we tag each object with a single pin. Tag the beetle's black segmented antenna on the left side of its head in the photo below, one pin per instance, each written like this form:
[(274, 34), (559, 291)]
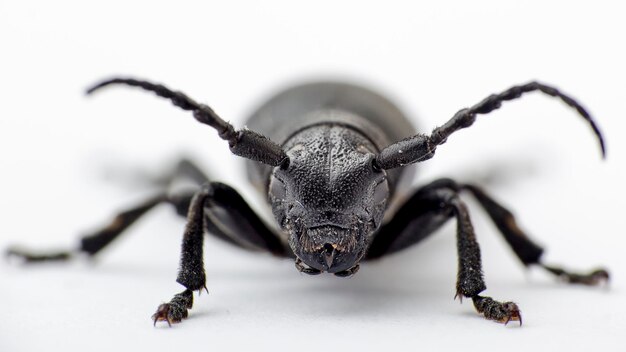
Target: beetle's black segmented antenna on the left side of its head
[(244, 143)]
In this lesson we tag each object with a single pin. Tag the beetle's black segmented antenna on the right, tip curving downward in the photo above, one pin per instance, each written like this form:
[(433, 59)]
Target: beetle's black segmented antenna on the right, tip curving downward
[(422, 147)]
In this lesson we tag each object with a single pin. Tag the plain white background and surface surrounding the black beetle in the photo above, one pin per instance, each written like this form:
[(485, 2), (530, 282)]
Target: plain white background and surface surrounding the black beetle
[(68, 162)]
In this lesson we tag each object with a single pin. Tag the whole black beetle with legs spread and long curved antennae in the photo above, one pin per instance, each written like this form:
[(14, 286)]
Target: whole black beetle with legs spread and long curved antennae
[(332, 158)]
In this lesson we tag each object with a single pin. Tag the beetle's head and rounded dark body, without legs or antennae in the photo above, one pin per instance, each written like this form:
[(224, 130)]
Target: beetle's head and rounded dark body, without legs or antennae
[(331, 197)]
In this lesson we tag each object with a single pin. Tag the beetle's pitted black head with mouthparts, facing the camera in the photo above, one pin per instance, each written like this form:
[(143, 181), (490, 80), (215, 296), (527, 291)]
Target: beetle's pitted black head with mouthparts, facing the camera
[(330, 198)]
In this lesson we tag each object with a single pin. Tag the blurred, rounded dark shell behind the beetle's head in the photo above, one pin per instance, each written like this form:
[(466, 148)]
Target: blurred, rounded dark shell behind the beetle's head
[(303, 106)]
